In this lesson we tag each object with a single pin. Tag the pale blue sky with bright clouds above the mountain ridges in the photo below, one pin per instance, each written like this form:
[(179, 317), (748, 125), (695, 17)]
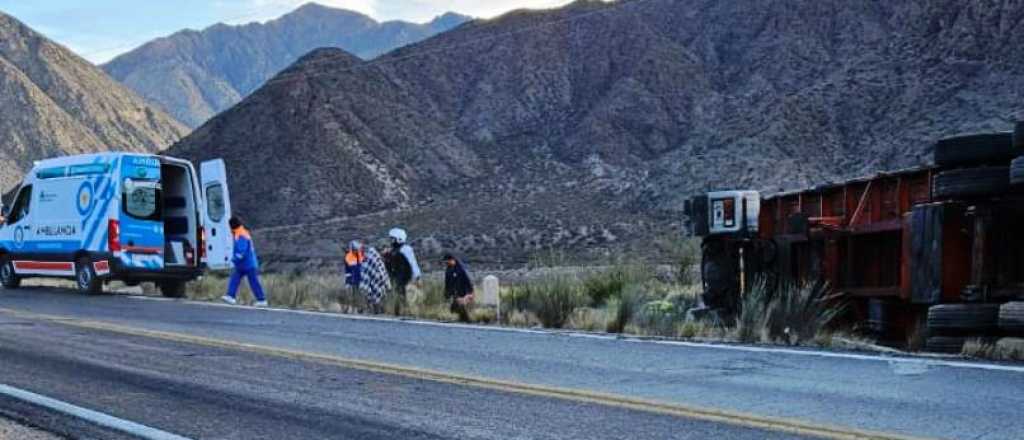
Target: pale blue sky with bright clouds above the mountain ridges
[(101, 30)]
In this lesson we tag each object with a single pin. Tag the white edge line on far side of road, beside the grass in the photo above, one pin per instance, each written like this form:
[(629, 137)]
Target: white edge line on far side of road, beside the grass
[(910, 359)]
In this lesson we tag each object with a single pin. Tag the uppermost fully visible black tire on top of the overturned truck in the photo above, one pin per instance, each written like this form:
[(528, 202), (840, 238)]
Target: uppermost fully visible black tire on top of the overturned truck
[(975, 149)]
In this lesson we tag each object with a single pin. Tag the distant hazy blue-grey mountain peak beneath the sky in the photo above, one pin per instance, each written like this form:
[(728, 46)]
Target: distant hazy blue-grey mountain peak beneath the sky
[(196, 75)]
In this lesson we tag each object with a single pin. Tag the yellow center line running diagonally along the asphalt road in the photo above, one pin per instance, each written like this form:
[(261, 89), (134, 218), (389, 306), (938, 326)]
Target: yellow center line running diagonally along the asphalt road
[(689, 412)]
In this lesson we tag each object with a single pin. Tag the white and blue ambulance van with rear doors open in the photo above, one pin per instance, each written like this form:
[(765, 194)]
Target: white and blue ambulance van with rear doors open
[(117, 216)]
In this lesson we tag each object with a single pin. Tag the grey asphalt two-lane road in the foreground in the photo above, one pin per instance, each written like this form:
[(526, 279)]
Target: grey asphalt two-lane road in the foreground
[(207, 392)]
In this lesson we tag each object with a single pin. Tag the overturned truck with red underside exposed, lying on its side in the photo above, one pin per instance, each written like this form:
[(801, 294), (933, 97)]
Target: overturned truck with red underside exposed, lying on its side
[(932, 255)]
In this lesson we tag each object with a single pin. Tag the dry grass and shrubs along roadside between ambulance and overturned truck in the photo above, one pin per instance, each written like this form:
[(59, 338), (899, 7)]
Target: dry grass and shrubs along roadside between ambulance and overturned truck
[(622, 298)]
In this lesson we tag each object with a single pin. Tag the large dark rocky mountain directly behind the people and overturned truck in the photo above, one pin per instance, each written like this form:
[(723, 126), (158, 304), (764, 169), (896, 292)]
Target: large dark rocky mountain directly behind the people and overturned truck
[(586, 127)]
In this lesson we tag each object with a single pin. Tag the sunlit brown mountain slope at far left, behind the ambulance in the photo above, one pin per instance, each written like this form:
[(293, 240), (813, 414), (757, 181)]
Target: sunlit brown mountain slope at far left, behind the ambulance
[(53, 103)]
